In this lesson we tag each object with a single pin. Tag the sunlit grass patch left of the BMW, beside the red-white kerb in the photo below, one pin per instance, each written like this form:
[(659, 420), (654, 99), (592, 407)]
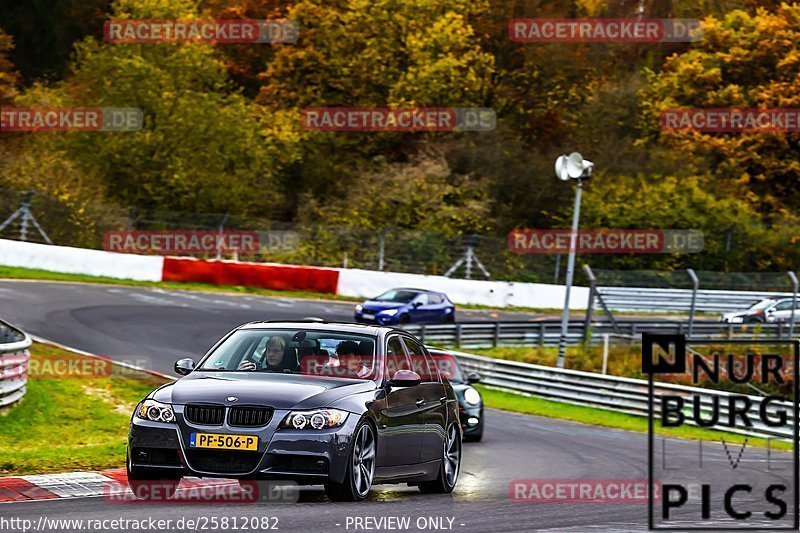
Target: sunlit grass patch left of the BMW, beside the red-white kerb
[(69, 423)]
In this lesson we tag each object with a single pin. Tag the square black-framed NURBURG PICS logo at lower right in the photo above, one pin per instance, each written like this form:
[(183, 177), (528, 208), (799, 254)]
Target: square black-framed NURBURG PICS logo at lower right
[(729, 498)]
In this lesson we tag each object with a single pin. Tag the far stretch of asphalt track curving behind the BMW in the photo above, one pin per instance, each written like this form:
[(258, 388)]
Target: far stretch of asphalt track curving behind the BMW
[(155, 327)]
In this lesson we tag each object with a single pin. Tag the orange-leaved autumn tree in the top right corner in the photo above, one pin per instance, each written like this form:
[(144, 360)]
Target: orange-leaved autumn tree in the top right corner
[(743, 61)]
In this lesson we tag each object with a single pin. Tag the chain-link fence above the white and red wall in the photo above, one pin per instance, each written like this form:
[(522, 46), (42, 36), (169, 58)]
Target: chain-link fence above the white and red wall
[(392, 249)]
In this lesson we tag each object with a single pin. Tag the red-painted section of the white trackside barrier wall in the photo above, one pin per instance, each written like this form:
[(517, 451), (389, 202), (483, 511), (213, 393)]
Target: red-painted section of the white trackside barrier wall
[(263, 275)]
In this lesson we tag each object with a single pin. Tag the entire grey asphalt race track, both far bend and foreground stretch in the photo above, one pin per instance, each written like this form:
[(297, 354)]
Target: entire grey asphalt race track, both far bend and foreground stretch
[(162, 325)]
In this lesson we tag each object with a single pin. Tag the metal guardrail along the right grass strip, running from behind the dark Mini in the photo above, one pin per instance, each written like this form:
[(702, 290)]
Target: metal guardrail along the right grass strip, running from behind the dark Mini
[(625, 395)]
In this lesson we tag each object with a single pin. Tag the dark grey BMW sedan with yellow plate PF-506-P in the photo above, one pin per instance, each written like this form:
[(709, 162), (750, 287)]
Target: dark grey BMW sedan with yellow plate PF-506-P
[(343, 405)]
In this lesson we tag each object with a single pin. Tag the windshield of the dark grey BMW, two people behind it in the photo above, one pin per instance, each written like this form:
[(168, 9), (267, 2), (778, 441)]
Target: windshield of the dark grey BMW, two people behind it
[(311, 353)]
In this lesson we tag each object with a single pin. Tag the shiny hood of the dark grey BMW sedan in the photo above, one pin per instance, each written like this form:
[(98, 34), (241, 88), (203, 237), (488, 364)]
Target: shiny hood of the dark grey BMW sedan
[(280, 391)]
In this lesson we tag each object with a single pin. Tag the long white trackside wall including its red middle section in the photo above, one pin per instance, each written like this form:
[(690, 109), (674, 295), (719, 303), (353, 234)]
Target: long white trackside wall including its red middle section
[(351, 282)]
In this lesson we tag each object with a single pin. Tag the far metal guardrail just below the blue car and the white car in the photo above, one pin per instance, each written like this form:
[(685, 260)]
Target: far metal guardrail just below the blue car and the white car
[(547, 332)]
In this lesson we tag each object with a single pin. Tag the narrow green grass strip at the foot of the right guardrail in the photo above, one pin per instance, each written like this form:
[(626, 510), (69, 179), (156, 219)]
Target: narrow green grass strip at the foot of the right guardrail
[(531, 405)]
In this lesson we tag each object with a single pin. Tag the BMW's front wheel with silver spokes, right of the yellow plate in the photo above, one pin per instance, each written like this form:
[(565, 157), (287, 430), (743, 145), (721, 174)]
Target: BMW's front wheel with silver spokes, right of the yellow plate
[(360, 468)]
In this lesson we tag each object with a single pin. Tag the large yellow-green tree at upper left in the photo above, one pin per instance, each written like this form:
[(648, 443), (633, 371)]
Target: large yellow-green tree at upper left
[(201, 148)]
